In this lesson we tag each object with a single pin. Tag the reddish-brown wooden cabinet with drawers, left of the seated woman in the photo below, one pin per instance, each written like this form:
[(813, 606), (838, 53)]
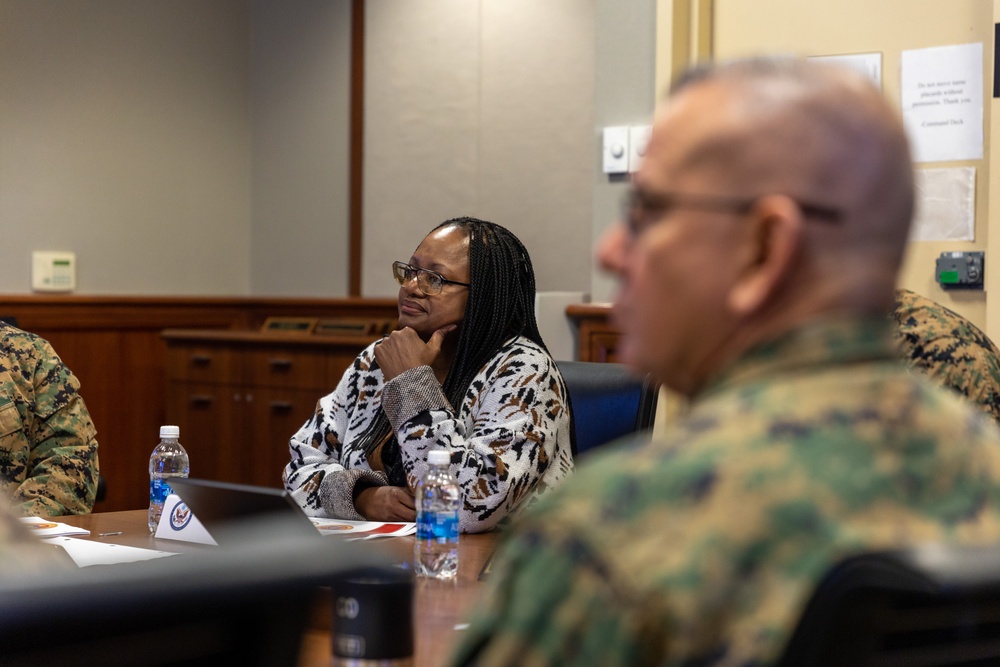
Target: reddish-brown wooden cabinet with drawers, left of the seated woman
[(239, 396)]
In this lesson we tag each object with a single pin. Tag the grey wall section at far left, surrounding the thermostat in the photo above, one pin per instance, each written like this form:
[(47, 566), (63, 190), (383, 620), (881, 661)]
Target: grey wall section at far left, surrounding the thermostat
[(125, 137)]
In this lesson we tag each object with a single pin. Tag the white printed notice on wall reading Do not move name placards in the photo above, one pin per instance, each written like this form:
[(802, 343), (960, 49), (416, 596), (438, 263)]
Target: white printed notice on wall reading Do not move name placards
[(942, 101)]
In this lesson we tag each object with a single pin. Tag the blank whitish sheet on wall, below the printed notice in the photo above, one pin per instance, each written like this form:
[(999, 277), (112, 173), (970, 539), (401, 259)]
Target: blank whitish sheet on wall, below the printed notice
[(946, 205)]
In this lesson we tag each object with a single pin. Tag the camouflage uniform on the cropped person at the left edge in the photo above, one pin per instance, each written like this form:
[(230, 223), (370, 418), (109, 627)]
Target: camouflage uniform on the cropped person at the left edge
[(48, 448)]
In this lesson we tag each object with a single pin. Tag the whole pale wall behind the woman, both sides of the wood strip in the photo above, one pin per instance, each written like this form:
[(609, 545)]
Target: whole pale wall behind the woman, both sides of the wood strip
[(196, 147)]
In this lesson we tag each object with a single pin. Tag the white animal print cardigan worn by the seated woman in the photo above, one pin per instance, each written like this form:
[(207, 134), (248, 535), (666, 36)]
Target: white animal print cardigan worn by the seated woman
[(509, 440)]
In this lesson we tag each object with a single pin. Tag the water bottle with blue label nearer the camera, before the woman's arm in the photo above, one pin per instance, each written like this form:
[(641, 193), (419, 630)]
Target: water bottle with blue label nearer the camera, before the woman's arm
[(435, 553)]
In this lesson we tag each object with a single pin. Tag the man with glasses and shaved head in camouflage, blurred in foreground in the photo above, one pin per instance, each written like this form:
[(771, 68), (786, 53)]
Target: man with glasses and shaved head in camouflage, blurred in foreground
[(757, 261)]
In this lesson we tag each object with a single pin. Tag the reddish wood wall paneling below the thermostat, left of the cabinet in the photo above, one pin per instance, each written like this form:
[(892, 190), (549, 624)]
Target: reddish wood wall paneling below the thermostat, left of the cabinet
[(113, 346)]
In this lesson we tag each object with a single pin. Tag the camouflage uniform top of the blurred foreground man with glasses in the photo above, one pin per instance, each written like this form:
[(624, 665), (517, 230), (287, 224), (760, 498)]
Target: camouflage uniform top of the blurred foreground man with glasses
[(702, 547)]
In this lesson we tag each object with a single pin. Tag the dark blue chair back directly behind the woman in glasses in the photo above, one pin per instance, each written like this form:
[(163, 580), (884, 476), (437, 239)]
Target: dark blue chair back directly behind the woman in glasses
[(608, 401)]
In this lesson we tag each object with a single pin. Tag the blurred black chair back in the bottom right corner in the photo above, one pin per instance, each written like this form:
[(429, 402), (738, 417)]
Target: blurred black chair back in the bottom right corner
[(931, 606)]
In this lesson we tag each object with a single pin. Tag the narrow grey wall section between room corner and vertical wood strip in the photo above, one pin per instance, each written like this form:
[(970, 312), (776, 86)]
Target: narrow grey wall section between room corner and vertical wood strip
[(301, 147)]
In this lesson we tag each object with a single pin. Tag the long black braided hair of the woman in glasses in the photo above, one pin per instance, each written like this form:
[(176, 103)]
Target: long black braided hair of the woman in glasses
[(501, 306)]
